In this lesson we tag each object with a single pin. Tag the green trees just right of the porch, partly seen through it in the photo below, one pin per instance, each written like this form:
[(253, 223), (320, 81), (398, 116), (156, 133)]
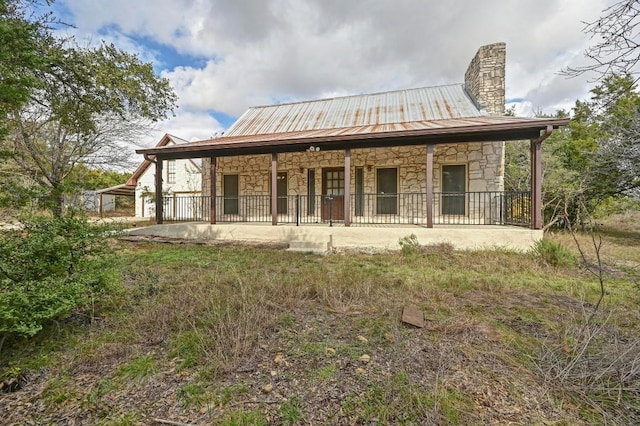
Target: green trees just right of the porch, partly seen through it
[(596, 157)]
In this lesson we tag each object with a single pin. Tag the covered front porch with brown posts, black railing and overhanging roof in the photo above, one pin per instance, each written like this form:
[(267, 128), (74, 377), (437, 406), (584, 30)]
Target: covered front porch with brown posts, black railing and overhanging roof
[(350, 201)]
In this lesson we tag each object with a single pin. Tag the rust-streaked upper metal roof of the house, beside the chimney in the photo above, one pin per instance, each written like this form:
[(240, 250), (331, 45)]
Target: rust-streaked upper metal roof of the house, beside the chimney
[(360, 111)]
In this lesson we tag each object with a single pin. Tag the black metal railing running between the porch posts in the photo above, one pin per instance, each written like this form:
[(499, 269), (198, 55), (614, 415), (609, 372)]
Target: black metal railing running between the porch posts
[(448, 208)]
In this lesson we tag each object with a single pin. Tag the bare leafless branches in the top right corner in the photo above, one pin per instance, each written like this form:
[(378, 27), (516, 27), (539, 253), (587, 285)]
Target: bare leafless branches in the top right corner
[(617, 36)]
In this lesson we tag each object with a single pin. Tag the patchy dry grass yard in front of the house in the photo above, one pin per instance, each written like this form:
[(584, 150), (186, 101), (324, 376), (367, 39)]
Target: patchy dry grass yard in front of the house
[(250, 336)]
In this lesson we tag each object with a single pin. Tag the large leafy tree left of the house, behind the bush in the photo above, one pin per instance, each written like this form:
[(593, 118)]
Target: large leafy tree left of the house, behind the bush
[(83, 105)]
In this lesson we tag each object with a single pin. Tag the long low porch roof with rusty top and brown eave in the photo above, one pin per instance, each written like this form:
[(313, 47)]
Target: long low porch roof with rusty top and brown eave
[(478, 129)]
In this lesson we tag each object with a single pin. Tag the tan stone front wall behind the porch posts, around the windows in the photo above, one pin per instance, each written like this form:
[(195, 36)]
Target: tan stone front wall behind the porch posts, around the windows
[(484, 173)]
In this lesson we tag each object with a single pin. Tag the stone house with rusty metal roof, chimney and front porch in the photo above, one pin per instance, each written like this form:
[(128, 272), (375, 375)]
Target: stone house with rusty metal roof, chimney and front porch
[(426, 156)]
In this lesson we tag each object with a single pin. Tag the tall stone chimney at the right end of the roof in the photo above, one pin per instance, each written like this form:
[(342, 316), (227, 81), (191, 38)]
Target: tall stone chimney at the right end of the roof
[(484, 78)]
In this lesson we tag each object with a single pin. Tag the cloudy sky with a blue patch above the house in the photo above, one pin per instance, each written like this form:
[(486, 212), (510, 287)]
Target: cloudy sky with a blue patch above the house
[(223, 56)]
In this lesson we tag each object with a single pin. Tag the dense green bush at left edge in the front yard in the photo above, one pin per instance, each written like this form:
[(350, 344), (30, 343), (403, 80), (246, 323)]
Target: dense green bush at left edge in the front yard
[(48, 268)]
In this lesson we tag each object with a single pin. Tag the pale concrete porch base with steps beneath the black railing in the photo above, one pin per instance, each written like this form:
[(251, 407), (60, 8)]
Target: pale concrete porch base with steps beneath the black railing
[(322, 237)]
